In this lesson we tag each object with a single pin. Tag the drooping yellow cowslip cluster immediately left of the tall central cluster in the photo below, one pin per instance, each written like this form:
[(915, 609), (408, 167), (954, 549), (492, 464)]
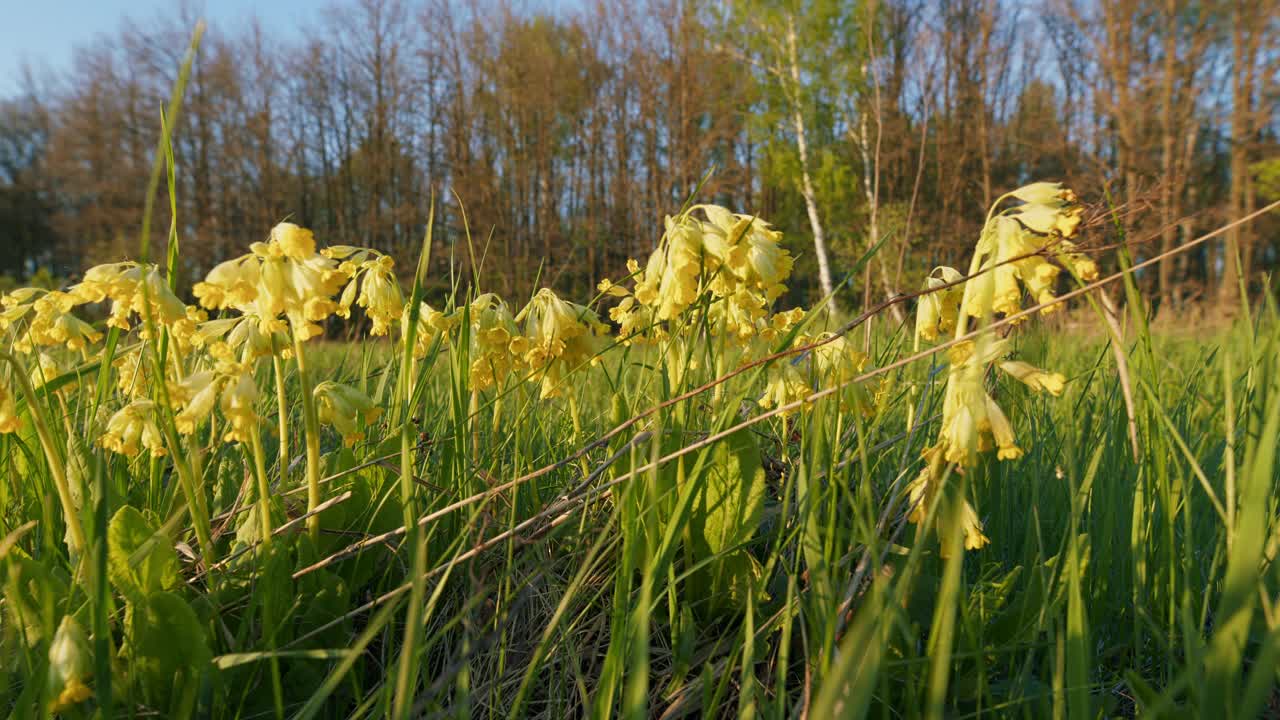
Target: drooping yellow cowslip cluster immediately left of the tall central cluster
[(559, 338)]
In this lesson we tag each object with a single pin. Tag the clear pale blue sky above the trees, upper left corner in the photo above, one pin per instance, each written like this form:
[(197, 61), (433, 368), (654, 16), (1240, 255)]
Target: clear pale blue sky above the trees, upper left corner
[(44, 34)]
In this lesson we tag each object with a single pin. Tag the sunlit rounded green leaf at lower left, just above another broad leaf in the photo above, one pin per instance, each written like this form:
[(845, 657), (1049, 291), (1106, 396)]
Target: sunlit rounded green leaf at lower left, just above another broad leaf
[(141, 559)]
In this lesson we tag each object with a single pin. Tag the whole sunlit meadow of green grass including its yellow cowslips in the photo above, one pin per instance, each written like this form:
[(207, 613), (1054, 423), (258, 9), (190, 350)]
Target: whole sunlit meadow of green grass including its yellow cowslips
[(673, 499)]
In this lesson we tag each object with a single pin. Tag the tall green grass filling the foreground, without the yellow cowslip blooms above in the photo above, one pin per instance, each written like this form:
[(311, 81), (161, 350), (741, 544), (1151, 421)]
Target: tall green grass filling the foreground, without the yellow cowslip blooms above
[(650, 541)]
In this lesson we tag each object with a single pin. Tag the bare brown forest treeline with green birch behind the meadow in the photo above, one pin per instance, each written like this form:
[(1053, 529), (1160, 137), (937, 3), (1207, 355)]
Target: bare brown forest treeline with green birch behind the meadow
[(557, 140)]
